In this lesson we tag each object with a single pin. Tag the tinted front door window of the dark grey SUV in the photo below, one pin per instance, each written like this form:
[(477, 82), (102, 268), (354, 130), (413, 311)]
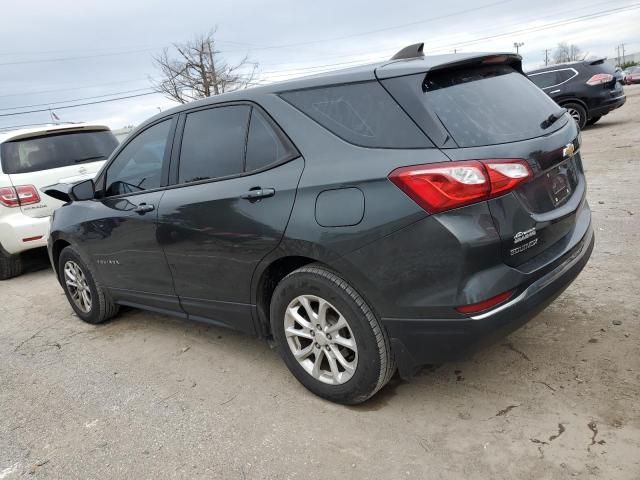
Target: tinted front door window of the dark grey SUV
[(139, 165)]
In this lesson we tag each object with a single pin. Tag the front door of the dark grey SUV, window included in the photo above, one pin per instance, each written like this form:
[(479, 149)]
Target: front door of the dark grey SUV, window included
[(121, 231)]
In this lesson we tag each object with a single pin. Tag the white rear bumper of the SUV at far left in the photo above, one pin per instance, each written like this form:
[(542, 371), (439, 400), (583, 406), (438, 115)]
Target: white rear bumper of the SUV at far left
[(19, 232)]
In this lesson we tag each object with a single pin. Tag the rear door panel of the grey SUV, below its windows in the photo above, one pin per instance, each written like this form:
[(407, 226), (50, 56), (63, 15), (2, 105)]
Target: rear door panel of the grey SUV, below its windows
[(213, 239)]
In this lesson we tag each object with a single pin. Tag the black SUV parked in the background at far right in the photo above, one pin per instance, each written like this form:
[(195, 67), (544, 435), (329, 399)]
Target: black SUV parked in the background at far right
[(588, 89)]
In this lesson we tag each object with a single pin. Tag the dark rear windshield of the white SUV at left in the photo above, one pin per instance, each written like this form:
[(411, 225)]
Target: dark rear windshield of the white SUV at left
[(55, 151)]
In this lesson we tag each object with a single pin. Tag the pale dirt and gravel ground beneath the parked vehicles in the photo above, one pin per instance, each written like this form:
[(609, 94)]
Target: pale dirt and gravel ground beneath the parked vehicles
[(147, 396)]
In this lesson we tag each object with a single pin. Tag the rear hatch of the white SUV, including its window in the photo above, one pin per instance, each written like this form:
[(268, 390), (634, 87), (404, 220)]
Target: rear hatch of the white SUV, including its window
[(56, 156)]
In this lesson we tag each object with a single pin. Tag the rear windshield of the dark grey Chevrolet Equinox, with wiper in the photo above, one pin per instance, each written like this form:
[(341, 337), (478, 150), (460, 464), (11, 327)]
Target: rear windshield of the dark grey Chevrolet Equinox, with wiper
[(488, 105)]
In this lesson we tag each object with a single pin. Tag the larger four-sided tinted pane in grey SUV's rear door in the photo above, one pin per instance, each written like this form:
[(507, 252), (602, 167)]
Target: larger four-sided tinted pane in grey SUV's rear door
[(213, 143)]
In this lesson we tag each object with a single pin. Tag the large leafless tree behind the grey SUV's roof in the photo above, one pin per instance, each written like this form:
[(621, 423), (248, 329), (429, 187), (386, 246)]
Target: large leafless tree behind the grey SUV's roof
[(195, 69)]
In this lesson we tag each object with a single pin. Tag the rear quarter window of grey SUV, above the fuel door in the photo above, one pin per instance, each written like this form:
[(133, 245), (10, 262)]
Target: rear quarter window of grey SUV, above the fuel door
[(361, 113)]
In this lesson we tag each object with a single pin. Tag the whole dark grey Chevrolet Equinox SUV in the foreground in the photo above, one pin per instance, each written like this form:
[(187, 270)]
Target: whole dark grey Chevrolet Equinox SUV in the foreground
[(380, 217)]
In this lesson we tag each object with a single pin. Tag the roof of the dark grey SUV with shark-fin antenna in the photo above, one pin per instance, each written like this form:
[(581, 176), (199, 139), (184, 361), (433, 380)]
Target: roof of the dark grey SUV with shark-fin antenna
[(395, 67)]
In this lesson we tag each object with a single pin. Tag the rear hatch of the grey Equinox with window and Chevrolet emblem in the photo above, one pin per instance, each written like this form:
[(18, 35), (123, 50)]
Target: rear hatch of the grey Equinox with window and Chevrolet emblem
[(487, 109)]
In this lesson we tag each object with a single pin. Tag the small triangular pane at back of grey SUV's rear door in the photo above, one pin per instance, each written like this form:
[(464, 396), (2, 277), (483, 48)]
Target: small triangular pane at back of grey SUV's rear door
[(266, 144)]
